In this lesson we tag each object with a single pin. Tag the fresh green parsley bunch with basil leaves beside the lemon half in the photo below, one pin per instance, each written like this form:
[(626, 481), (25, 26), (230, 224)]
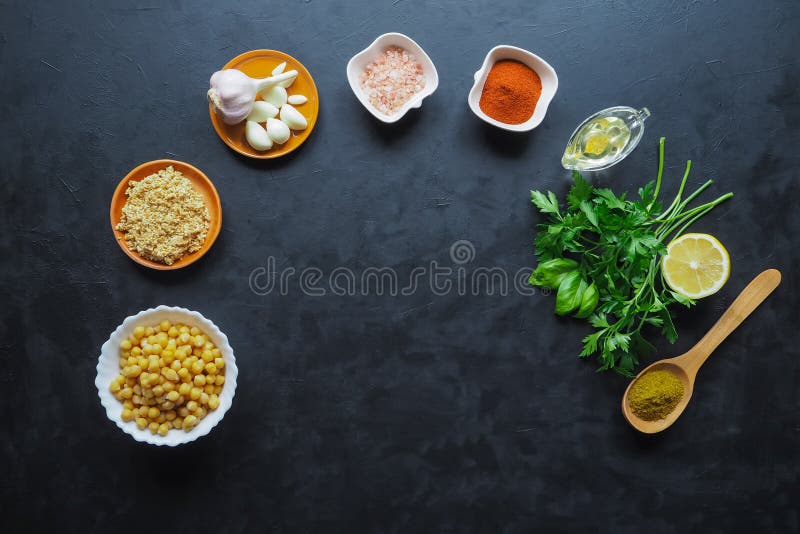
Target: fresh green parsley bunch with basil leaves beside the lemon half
[(601, 253)]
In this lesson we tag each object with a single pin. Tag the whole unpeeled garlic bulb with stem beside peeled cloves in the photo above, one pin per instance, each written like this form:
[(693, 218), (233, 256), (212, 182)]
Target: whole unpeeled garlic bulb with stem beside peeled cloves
[(232, 92)]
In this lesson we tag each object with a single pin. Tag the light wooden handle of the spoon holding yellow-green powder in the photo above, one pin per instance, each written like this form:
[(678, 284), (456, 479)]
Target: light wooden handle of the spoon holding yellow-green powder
[(747, 301)]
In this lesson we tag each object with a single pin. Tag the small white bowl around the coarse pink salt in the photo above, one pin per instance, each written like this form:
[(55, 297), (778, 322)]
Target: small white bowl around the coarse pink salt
[(359, 62)]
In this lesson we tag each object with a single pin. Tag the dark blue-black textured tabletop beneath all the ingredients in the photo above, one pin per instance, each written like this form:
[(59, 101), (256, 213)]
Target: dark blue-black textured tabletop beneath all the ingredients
[(380, 413)]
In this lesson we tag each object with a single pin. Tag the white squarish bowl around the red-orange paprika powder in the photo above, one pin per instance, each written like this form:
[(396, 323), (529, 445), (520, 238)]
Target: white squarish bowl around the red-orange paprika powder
[(546, 73)]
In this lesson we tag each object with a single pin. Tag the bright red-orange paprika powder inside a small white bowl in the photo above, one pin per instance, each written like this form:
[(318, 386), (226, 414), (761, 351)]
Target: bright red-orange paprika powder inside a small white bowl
[(511, 92)]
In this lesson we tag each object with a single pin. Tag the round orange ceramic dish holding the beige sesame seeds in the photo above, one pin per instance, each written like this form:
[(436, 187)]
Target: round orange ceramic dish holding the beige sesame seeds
[(200, 182)]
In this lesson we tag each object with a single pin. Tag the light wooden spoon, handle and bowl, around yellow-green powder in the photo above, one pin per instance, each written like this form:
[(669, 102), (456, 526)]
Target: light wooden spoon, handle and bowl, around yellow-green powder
[(685, 366)]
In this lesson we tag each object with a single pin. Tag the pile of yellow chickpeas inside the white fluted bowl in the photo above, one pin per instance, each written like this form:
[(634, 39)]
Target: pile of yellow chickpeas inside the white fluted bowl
[(171, 377)]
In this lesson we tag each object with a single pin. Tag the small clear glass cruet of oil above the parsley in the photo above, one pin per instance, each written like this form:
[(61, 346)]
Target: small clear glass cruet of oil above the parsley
[(605, 138)]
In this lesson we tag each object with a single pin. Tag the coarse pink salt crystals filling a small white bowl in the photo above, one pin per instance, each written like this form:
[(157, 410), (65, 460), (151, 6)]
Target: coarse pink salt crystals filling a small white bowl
[(392, 79)]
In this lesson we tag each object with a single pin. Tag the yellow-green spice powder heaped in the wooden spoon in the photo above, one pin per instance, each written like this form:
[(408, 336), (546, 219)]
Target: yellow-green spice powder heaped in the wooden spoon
[(655, 394)]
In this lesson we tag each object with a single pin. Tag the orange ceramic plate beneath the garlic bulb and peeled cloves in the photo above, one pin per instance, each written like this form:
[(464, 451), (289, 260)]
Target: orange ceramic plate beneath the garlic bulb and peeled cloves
[(259, 64)]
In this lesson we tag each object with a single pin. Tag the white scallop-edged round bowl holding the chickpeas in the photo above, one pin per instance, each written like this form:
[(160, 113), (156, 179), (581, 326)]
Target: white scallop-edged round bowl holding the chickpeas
[(108, 368)]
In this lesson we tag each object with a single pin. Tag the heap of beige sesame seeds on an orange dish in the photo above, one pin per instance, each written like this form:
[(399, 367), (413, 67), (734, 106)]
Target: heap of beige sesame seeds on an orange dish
[(164, 218)]
